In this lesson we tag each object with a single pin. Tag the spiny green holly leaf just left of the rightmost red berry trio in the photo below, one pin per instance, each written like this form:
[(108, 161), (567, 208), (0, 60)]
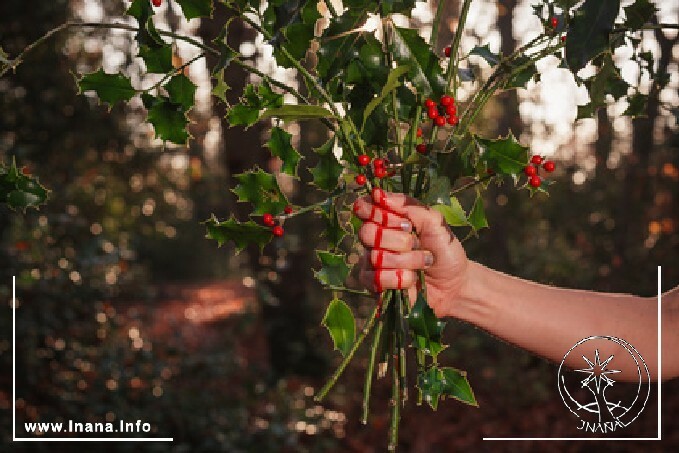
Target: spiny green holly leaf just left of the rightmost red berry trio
[(503, 155)]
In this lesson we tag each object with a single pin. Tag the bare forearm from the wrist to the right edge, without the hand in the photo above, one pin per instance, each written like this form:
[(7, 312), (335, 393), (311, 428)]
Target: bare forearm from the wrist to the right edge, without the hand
[(548, 321)]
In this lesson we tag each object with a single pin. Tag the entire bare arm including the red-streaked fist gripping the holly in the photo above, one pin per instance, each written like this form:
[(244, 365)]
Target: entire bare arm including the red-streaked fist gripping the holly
[(542, 319)]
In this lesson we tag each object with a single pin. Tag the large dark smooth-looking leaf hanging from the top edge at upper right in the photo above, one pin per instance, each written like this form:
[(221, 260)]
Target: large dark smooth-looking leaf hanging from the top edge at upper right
[(589, 30)]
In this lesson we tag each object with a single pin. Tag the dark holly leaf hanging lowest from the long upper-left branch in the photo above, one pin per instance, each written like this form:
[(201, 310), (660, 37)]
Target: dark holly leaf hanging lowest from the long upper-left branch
[(168, 119)]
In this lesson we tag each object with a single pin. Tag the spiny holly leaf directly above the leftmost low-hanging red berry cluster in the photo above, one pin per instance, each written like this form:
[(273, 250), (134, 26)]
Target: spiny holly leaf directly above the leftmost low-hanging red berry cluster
[(261, 189)]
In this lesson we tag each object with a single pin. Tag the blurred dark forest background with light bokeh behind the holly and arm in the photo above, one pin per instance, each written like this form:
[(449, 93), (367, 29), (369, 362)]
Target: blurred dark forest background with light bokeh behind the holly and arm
[(127, 312)]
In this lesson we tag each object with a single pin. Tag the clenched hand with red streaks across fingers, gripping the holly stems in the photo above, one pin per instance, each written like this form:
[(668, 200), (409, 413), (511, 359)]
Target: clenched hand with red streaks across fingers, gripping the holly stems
[(394, 254)]
